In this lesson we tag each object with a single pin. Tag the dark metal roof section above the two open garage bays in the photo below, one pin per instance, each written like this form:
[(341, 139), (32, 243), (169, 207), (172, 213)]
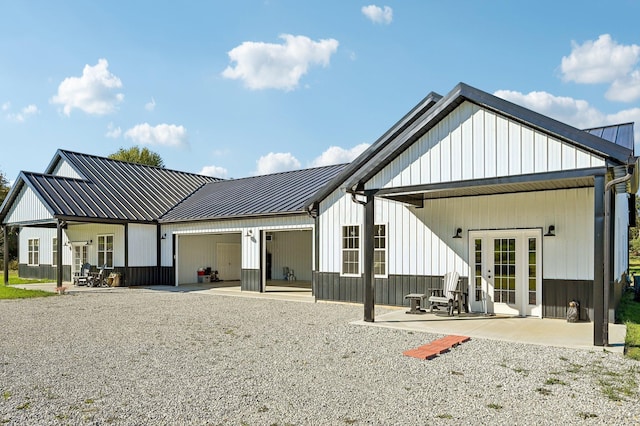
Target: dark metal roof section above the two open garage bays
[(280, 193)]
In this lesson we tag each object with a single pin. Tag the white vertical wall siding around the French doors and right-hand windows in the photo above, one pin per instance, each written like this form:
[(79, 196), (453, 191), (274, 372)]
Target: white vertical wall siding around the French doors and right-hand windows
[(420, 239)]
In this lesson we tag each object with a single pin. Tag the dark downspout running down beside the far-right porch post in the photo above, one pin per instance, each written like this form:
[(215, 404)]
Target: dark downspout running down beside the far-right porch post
[(607, 243)]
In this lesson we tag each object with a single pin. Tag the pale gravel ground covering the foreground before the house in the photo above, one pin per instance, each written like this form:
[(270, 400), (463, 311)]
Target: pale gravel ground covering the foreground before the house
[(135, 357)]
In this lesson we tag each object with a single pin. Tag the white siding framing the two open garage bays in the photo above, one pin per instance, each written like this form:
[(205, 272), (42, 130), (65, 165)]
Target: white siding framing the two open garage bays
[(250, 244)]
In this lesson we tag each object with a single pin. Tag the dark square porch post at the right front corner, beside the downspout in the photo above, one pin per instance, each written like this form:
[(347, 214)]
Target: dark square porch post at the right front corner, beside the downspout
[(598, 261)]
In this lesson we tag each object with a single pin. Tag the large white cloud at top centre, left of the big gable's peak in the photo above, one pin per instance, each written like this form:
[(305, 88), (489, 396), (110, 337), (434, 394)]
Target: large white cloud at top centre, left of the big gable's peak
[(278, 66)]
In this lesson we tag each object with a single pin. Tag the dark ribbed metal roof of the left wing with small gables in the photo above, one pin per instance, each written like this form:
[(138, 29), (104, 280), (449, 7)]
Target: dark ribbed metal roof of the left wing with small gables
[(110, 190)]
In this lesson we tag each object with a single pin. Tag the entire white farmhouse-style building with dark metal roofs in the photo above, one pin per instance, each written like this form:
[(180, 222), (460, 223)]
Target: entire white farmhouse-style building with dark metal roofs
[(532, 214)]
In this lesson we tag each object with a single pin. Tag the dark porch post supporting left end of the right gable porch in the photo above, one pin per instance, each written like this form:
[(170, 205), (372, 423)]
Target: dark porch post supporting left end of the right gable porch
[(367, 252)]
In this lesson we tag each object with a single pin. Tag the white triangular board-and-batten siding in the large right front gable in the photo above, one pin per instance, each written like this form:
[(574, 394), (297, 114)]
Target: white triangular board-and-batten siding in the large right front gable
[(474, 143)]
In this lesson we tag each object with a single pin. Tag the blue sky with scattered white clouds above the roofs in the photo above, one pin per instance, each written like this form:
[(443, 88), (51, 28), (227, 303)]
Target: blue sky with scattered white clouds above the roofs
[(236, 88)]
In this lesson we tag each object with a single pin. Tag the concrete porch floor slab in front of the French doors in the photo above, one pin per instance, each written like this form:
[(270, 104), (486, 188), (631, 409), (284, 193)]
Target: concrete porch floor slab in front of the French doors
[(547, 331)]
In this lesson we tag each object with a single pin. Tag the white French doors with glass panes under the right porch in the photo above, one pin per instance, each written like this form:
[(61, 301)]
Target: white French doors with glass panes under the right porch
[(506, 268)]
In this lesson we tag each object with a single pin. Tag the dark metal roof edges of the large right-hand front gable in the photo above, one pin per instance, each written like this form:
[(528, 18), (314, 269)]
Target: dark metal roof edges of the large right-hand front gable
[(385, 150)]
